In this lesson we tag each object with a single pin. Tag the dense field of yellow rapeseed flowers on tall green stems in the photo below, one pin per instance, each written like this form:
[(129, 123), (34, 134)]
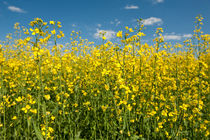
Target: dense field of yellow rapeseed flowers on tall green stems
[(124, 90)]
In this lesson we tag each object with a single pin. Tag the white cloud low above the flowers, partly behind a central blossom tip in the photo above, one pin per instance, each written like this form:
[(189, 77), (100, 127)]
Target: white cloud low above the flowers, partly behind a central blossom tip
[(109, 34)]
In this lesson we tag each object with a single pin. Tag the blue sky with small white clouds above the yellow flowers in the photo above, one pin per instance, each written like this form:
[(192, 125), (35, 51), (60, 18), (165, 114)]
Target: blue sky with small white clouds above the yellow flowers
[(92, 16)]
